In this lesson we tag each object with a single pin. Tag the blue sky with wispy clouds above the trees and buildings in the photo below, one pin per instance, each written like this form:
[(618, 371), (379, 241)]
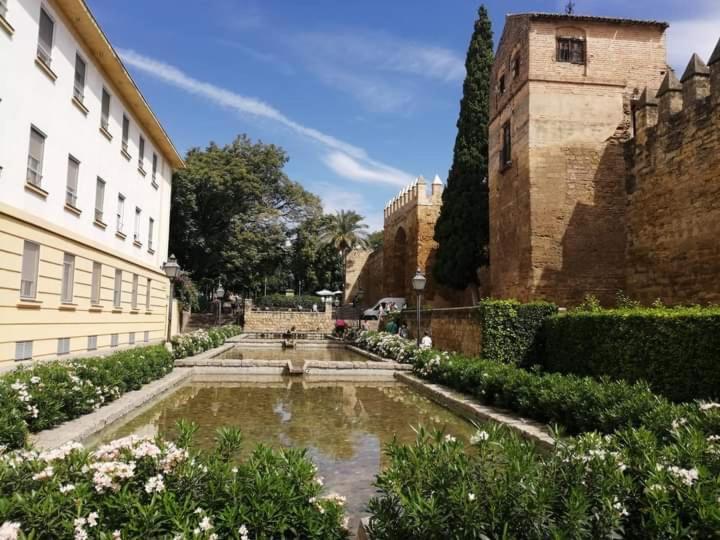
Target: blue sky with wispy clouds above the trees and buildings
[(363, 96)]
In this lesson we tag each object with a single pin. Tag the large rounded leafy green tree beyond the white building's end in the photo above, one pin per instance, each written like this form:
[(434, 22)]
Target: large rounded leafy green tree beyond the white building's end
[(233, 214)]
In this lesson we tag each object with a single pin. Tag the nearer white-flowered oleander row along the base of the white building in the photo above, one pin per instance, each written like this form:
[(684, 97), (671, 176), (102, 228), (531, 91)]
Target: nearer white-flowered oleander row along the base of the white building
[(46, 394)]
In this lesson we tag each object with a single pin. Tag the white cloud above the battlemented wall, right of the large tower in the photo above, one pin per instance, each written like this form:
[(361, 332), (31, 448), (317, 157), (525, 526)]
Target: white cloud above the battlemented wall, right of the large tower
[(688, 36)]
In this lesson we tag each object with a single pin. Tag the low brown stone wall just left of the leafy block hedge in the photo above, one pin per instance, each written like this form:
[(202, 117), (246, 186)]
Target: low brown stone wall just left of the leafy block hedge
[(451, 329)]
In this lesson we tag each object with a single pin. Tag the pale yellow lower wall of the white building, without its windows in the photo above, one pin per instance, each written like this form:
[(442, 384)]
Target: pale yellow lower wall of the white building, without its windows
[(47, 319)]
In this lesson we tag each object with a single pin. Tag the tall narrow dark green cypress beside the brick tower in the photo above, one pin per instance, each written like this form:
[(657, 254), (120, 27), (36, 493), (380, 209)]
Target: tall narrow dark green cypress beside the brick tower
[(462, 230)]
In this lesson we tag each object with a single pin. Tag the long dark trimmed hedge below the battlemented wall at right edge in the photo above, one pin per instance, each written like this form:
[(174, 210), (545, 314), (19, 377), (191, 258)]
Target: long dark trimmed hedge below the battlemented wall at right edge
[(676, 350)]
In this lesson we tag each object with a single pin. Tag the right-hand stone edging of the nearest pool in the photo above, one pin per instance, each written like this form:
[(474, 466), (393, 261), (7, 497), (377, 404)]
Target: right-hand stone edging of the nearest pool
[(475, 411)]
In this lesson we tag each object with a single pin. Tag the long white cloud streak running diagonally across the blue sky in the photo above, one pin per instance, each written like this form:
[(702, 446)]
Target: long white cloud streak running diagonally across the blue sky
[(247, 105)]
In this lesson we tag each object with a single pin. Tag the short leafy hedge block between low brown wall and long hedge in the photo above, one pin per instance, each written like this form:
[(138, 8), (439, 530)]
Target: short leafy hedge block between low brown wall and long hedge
[(511, 331)]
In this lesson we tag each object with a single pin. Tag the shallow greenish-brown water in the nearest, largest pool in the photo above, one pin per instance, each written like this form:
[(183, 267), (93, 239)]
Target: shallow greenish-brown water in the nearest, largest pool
[(344, 425)]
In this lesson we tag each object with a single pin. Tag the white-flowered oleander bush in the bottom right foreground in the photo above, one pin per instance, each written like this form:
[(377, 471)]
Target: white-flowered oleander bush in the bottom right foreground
[(628, 485)]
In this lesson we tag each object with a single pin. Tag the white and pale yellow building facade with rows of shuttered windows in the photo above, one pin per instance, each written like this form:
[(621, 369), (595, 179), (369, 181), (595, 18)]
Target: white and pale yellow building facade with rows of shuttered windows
[(85, 184)]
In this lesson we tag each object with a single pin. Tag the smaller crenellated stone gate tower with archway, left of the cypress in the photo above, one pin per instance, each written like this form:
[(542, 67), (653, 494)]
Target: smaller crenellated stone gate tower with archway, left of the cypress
[(409, 227)]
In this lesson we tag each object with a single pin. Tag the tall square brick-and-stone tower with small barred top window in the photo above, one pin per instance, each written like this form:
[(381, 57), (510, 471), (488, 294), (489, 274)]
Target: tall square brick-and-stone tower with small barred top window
[(562, 92)]
